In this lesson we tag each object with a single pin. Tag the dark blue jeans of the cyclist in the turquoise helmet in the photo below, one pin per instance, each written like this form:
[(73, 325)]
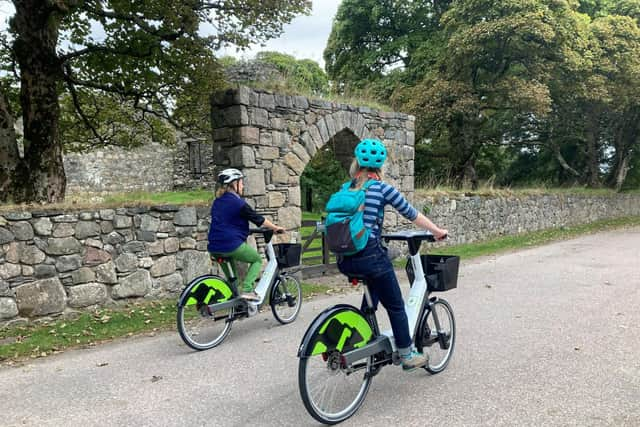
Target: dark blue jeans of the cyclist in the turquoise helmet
[(374, 264)]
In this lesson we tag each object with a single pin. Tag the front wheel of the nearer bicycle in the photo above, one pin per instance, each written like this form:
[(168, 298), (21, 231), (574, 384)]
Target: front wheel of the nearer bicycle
[(437, 344)]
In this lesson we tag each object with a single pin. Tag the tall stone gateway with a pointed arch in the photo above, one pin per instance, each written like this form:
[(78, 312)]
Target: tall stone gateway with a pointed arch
[(271, 138)]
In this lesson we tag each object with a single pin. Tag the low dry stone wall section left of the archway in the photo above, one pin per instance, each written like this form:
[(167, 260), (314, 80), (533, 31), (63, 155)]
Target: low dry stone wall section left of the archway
[(53, 263)]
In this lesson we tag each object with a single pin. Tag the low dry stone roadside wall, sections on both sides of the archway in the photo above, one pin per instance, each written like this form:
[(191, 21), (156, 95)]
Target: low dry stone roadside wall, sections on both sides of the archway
[(53, 263)]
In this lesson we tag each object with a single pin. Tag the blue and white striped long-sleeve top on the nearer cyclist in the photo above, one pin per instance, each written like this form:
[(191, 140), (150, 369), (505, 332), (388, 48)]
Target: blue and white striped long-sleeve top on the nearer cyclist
[(378, 196)]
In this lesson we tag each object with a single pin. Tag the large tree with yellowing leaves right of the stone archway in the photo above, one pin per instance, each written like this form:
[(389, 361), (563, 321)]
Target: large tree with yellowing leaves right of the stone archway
[(493, 78)]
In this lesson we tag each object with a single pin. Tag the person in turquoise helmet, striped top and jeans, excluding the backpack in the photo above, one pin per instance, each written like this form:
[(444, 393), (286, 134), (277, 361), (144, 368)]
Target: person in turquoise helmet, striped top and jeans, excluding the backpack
[(372, 261)]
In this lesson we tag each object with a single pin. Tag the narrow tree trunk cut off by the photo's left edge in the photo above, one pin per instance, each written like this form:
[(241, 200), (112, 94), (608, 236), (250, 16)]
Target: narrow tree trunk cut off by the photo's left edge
[(9, 157)]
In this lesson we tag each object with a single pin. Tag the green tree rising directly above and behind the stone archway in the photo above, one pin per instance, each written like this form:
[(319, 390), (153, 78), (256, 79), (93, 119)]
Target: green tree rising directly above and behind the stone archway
[(370, 38)]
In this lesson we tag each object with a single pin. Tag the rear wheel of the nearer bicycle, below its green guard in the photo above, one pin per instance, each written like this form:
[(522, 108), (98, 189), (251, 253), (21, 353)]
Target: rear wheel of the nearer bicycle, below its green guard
[(331, 391)]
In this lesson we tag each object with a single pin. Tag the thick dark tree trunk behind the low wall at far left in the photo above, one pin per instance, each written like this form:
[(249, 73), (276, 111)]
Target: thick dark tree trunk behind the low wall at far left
[(40, 177)]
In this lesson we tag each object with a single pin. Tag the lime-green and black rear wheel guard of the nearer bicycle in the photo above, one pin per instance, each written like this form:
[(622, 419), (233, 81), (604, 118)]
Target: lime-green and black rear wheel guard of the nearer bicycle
[(342, 327)]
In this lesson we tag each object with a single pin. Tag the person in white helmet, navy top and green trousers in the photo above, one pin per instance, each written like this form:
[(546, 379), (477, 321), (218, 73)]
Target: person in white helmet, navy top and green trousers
[(230, 216)]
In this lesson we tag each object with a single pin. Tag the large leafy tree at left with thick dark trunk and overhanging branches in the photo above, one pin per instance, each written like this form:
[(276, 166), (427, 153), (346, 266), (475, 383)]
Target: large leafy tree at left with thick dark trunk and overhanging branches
[(155, 57)]
